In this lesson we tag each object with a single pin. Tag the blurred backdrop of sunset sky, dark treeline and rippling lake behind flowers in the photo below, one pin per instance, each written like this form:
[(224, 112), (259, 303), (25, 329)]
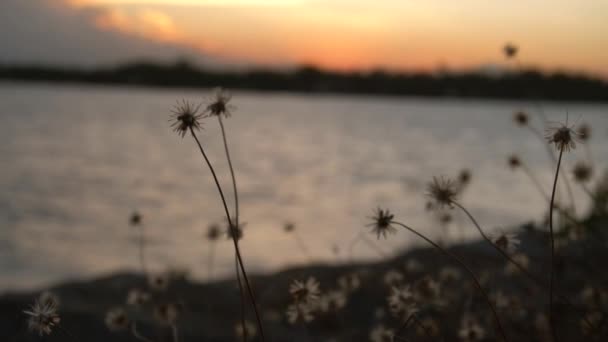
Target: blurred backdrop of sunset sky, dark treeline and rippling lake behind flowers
[(340, 107)]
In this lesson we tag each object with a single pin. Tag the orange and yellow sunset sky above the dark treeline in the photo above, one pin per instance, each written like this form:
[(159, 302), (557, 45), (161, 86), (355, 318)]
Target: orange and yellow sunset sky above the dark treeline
[(333, 34)]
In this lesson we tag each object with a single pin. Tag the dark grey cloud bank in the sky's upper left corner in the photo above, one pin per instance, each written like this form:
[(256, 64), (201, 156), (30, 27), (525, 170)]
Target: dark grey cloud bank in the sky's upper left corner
[(49, 32)]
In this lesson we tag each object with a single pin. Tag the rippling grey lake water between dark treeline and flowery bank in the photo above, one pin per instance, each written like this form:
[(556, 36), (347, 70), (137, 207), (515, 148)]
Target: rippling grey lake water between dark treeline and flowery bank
[(77, 160)]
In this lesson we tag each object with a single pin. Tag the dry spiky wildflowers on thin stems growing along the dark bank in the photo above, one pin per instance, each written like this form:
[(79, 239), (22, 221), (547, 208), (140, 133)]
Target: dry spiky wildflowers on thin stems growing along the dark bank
[(414, 296)]
